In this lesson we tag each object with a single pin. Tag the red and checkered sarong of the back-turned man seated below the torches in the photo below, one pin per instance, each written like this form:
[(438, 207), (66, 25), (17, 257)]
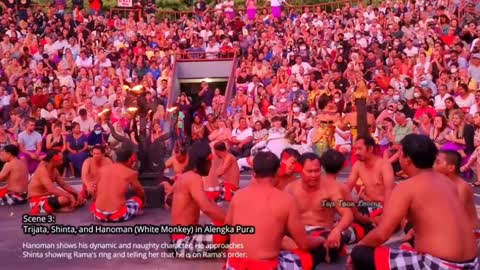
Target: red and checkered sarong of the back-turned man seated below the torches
[(132, 208)]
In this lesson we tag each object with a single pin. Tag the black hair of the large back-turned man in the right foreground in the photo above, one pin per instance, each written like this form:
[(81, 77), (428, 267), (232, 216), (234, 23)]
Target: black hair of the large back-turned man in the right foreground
[(420, 149)]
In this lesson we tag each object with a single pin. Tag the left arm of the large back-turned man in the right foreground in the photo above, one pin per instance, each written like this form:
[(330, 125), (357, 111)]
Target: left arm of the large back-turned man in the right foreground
[(396, 210)]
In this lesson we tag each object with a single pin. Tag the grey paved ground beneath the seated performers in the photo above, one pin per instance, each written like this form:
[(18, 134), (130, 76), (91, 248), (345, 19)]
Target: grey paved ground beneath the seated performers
[(16, 254)]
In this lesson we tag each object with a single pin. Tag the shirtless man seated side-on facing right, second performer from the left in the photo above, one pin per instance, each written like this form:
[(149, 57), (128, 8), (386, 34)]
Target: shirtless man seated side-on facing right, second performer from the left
[(44, 196)]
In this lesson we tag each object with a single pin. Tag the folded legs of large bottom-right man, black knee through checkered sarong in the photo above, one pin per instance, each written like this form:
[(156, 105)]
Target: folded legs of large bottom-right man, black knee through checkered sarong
[(383, 258)]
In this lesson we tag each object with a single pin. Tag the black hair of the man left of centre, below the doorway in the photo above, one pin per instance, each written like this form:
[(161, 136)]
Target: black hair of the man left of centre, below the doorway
[(199, 158)]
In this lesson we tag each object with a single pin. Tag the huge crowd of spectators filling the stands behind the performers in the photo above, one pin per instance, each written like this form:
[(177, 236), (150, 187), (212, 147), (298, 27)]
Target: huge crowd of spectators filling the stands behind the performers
[(59, 69)]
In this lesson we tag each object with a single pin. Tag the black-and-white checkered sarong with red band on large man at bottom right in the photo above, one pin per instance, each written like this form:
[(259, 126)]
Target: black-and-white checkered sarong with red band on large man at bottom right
[(398, 259)]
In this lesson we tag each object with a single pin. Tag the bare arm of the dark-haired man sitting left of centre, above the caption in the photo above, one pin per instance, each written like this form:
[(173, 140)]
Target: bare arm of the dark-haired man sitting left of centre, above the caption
[(210, 209)]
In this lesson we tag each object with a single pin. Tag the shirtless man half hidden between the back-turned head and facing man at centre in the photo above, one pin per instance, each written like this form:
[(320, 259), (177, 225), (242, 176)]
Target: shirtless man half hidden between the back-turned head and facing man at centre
[(289, 165)]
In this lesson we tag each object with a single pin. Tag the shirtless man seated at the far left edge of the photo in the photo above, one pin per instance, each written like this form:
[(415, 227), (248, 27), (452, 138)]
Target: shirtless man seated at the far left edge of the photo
[(15, 172)]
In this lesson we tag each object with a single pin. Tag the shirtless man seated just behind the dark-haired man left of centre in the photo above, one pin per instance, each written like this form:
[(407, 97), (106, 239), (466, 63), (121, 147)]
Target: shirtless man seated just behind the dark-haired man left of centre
[(225, 166)]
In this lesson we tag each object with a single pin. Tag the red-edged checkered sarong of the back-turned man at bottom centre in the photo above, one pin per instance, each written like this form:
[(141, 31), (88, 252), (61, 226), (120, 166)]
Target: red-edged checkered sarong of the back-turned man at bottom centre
[(287, 260)]
